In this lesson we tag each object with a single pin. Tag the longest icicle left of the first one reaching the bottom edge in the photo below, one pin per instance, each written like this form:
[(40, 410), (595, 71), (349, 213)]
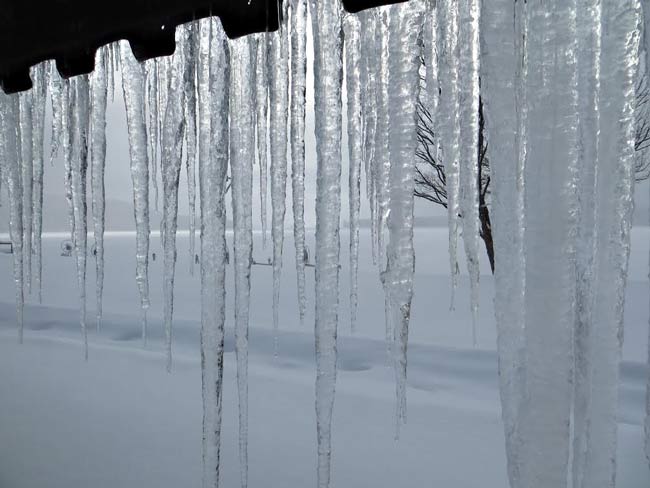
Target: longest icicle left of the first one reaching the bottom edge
[(172, 141)]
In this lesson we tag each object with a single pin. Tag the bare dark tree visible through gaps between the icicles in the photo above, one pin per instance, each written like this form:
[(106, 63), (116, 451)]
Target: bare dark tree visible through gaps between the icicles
[(431, 182)]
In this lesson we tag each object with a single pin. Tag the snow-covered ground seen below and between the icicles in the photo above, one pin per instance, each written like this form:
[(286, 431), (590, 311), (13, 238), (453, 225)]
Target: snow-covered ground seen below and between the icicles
[(121, 421)]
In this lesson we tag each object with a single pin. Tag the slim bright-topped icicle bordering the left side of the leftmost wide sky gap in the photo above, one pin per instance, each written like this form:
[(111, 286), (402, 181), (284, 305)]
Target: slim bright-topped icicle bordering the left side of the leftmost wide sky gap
[(99, 93)]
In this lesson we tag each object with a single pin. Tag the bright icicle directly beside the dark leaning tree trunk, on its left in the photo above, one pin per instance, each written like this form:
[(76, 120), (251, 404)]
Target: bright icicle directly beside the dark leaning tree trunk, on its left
[(469, 148)]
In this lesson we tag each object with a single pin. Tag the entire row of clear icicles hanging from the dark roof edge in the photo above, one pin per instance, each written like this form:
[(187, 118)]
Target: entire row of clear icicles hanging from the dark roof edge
[(558, 87)]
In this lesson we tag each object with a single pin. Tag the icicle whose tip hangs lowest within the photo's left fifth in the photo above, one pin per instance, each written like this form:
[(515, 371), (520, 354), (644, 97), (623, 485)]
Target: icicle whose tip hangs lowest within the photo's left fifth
[(78, 168)]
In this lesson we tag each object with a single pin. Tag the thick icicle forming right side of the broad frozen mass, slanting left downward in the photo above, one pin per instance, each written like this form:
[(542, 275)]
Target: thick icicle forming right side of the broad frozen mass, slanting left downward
[(614, 200)]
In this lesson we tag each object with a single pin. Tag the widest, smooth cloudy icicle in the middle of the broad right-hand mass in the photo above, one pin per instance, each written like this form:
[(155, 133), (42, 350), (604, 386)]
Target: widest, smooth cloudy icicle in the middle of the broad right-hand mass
[(549, 240)]
